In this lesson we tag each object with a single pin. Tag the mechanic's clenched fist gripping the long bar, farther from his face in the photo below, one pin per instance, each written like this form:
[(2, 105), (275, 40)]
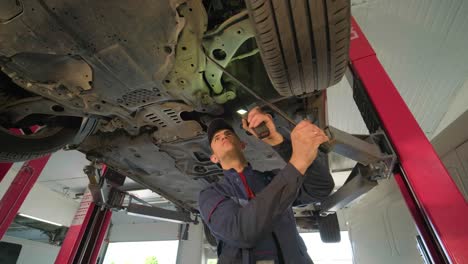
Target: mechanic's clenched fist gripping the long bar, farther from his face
[(306, 139)]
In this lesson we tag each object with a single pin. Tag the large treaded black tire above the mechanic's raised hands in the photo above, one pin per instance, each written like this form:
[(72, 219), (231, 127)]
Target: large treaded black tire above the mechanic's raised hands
[(303, 44)]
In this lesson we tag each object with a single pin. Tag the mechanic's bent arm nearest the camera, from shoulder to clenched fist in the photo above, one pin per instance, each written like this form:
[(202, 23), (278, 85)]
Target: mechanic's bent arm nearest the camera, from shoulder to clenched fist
[(244, 225)]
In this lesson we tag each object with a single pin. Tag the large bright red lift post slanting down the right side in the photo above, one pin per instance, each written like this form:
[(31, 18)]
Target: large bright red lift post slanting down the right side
[(434, 192)]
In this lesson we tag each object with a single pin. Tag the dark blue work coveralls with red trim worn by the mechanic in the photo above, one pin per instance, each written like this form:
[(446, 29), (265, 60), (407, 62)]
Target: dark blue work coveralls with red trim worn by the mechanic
[(263, 229)]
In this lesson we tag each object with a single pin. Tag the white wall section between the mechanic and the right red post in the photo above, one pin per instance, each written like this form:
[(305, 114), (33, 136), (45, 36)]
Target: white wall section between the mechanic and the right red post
[(381, 228)]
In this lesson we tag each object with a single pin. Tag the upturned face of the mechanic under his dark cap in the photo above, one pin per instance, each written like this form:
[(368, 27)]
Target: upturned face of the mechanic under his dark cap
[(225, 142)]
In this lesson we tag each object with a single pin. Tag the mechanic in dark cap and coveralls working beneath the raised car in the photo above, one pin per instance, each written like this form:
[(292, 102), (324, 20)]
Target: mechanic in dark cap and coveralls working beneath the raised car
[(249, 212)]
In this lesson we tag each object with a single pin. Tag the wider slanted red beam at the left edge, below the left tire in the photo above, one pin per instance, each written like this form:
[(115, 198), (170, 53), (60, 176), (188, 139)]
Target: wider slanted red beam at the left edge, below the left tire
[(18, 190)]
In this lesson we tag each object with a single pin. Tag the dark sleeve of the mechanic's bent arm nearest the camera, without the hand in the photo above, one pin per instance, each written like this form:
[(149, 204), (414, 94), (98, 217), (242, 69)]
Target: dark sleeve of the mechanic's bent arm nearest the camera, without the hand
[(244, 226)]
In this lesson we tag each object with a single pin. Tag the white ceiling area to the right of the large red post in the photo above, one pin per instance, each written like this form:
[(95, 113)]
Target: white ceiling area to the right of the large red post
[(423, 46)]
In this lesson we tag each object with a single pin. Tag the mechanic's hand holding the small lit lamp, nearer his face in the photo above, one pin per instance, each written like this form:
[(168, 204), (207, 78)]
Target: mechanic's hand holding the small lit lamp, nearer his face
[(255, 117)]
